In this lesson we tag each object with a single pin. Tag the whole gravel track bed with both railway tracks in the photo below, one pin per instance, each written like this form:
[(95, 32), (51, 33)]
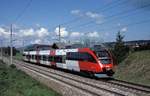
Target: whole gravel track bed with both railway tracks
[(94, 87)]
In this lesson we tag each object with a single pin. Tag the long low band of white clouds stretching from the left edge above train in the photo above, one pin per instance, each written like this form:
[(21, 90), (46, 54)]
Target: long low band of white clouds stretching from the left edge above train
[(41, 35)]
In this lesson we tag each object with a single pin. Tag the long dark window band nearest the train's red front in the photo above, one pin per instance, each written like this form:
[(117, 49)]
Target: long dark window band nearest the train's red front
[(83, 56)]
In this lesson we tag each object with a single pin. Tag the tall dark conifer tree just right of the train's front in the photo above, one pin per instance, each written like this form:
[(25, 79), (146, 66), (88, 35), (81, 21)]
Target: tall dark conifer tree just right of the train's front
[(120, 50)]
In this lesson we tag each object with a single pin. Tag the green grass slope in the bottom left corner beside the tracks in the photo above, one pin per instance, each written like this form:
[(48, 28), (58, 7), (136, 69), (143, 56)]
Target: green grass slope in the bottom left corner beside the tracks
[(14, 82)]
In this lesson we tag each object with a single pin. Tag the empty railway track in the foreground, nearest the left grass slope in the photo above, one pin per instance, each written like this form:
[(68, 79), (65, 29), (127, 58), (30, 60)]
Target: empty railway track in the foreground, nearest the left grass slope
[(84, 86)]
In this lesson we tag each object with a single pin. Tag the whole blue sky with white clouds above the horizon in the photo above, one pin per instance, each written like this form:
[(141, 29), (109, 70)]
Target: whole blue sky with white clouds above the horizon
[(37, 21)]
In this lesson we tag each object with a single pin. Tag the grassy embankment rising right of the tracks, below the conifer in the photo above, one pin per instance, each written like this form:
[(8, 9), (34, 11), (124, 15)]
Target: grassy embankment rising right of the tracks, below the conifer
[(135, 68)]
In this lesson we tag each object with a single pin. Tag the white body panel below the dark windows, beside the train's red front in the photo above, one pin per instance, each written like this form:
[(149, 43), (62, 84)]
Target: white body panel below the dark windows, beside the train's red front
[(72, 65)]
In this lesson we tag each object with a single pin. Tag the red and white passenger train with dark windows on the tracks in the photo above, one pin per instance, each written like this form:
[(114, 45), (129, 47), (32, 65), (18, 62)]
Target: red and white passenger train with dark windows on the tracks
[(97, 63)]
